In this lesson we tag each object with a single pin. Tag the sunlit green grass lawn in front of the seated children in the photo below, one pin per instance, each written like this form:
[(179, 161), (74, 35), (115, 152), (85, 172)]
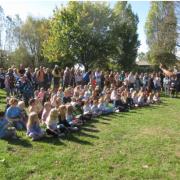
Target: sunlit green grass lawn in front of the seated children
[(140, 144)]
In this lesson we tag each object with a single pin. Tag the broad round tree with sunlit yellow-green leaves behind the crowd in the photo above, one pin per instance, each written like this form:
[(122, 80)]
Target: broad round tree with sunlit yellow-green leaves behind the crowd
[(79, 34)]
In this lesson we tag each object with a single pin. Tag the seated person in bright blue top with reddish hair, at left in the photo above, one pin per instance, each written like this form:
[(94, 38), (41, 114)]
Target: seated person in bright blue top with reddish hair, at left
[(13, 114)]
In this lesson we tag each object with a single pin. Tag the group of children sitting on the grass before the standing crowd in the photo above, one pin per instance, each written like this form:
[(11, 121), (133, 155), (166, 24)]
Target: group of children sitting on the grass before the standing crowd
[(57, 112)]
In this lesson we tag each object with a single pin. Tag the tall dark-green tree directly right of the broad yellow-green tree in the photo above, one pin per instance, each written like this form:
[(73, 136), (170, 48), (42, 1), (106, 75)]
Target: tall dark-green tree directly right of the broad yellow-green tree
[(124, 35)]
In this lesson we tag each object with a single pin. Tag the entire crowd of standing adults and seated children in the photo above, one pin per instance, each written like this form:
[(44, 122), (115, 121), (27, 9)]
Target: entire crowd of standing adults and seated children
[(55, 102)]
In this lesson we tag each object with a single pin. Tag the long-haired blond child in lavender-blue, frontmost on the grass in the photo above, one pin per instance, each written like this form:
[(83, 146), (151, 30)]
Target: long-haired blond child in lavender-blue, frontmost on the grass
[(33, 129)]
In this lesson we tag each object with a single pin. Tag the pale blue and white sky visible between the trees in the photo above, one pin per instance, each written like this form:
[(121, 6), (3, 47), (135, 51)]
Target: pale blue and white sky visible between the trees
[(44, 8)]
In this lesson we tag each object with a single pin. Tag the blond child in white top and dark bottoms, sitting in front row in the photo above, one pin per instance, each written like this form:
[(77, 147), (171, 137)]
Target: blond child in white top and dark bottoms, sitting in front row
[(52, 126)]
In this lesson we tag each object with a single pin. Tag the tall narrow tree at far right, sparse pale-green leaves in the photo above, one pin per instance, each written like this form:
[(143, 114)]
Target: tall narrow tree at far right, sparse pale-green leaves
[(161, 33)]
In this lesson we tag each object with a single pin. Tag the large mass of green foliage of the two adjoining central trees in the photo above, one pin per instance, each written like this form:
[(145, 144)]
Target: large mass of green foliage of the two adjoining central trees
[(91, 34)]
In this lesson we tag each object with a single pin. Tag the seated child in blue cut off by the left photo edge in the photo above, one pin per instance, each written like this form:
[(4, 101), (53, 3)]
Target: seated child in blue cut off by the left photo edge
[(6, 131)]
